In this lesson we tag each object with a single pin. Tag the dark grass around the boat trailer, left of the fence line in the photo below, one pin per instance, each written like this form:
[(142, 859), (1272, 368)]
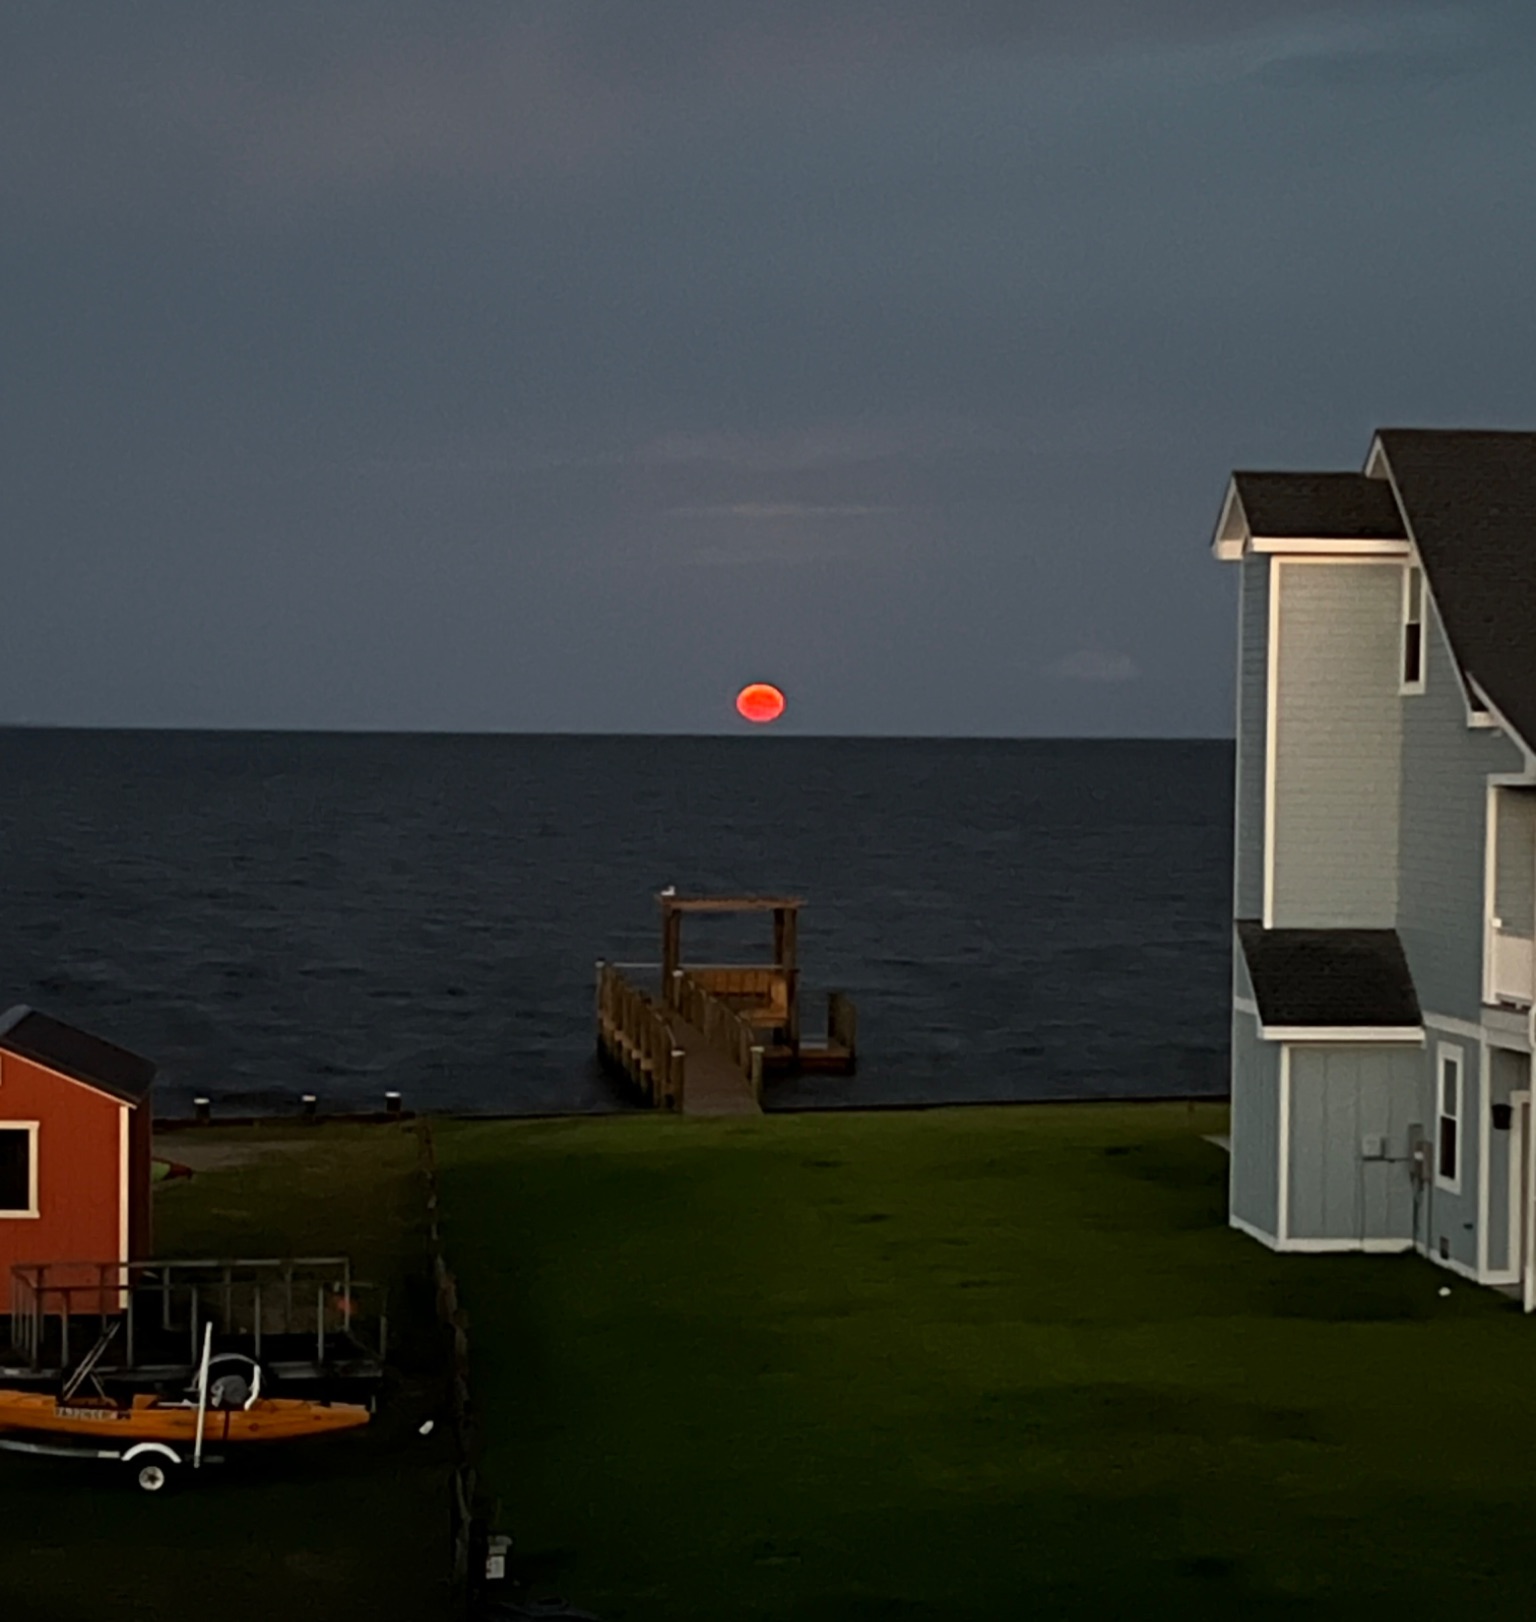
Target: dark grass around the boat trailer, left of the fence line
[(353, 1527)]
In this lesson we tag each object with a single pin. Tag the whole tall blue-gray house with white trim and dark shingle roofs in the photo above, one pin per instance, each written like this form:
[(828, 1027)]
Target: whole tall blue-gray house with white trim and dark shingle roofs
[(1386, 854)]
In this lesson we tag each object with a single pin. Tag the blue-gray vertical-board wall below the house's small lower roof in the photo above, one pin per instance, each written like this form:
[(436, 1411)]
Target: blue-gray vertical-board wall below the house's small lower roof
[(1337, 1099)]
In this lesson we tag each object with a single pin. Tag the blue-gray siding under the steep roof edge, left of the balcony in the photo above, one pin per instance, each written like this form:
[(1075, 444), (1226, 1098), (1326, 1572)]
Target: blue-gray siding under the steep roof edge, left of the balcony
[(1444, 835)]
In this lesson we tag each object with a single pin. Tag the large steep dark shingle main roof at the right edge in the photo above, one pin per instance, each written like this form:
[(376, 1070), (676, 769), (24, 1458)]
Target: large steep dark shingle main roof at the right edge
[(1472, 500)]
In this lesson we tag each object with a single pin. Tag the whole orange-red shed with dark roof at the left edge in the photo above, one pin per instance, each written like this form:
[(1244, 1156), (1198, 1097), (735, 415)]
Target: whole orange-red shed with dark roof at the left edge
[(75, 1136)]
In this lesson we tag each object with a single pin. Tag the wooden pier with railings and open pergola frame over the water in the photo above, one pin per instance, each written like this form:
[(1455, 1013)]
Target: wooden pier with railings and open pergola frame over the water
[(700, 1039)]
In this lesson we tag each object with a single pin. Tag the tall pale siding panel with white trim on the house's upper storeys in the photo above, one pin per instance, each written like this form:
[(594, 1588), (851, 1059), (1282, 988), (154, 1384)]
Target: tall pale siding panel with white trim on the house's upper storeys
[(1337, 747)]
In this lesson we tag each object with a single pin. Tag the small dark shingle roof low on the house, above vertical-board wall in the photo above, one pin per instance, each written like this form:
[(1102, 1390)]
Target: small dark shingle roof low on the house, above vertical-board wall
[(1329, 977)]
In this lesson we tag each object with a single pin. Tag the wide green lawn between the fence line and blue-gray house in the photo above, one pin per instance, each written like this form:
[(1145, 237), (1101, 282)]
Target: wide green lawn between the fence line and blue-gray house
[(984, 1363)]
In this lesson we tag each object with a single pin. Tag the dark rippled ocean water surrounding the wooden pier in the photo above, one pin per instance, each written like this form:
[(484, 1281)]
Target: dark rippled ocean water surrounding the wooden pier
[(275, 914)]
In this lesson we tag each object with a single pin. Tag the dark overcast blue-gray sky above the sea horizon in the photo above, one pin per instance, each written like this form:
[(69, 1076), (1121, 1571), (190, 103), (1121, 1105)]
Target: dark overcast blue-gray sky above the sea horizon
[(565, 366)]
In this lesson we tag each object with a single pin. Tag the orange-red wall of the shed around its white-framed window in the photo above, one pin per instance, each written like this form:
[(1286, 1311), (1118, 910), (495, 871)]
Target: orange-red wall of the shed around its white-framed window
[(79, 1151)]
